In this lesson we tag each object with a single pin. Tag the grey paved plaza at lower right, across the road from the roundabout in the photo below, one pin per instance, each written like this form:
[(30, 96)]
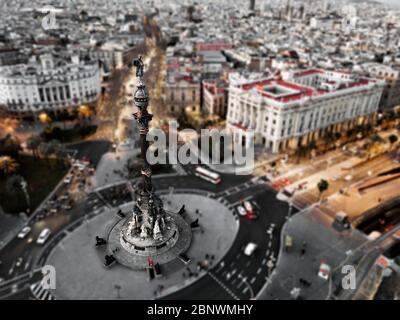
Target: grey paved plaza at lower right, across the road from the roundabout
[(322, 243)]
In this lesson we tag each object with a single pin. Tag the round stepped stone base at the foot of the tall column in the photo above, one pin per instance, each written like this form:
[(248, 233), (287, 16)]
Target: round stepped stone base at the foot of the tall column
[(134, 252)]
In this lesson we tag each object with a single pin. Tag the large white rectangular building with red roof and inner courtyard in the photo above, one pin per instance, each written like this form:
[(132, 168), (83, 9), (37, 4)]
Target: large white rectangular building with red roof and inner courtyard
[(298, 107)]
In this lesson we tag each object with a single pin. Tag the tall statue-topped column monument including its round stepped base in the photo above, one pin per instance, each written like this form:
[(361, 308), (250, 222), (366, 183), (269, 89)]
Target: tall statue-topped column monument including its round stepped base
[(148, 233)]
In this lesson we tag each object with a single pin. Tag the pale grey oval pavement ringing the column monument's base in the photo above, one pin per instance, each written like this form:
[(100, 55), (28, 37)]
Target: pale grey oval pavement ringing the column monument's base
[(79, 265)]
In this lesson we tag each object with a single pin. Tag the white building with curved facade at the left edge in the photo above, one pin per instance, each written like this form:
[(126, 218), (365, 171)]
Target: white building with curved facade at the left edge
[(49, 85)]
